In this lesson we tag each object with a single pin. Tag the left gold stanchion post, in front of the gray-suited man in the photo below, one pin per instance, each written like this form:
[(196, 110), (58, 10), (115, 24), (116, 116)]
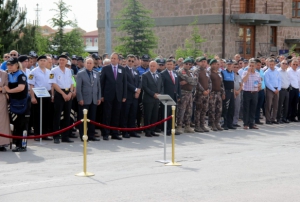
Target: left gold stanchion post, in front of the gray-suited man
[(85, 138)]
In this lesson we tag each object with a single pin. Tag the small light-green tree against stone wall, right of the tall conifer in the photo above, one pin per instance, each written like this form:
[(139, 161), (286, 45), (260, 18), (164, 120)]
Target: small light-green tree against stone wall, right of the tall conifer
[(192, 45)]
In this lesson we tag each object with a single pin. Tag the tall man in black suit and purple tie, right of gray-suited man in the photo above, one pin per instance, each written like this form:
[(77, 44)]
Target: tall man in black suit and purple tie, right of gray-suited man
[(114, 91)]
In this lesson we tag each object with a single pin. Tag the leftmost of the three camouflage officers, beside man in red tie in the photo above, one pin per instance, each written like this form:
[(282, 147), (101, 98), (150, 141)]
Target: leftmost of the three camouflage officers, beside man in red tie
[(187, 83)]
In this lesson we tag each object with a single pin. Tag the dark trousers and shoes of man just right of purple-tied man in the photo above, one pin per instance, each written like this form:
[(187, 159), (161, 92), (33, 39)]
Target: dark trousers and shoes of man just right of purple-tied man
[(128, 114)]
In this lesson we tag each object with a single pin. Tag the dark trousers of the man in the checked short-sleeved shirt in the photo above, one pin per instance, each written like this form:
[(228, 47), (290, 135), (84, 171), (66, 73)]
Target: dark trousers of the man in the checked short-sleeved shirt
[(249, 102)]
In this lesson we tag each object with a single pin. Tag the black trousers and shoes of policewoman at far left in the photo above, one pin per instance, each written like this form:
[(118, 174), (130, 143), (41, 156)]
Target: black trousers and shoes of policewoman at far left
[(20, 124)]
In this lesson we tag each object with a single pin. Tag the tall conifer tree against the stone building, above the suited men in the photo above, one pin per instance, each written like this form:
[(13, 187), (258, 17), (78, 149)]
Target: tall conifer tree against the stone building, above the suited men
[(135, 21)]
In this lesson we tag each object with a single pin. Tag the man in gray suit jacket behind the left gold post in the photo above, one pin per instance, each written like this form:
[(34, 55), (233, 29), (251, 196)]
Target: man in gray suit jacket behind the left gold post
[(88, 90)]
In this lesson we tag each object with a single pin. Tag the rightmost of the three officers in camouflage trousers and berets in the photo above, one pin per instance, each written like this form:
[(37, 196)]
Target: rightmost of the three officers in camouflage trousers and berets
[(216, 96)]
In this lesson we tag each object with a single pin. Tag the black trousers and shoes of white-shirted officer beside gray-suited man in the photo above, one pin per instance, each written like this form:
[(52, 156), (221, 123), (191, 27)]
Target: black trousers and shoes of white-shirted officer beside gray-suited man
[(60, 105)]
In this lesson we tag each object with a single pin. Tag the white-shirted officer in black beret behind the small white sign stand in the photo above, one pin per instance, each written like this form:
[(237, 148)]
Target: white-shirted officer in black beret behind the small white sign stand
[(39, 77)]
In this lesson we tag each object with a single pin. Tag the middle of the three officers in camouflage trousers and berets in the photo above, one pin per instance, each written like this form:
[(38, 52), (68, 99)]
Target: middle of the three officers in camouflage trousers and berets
[(203, 89)]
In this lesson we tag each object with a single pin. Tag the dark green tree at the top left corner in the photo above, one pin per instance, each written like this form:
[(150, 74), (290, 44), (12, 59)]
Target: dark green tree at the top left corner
[(12, 21)]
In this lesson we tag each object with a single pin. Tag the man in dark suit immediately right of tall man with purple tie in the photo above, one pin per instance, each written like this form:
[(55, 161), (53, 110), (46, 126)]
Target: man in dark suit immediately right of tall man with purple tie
[(129, 108)]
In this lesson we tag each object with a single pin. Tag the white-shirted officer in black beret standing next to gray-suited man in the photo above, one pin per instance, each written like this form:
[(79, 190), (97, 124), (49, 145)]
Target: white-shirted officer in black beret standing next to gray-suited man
[(61, 80)]
